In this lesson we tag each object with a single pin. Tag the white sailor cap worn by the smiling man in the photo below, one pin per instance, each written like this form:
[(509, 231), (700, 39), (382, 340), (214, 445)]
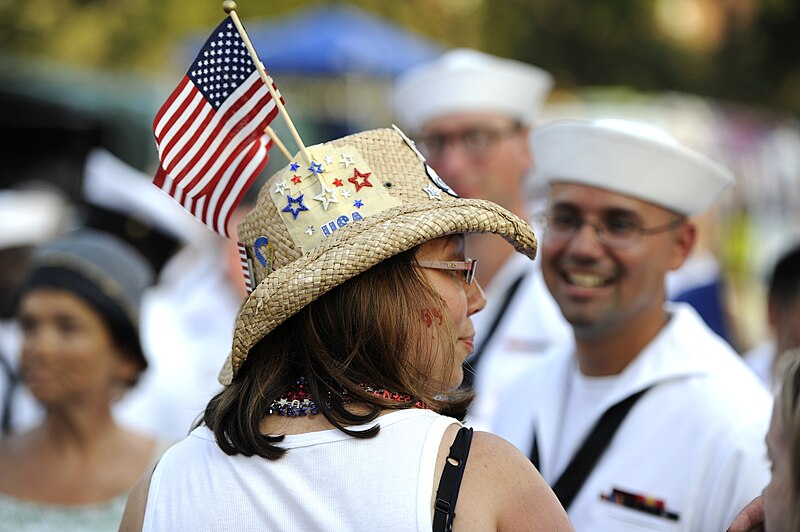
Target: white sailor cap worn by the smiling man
[(631, 158)]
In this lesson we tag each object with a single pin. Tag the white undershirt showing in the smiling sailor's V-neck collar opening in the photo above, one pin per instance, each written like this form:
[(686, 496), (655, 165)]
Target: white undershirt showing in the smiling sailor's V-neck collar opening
[(581, 411)]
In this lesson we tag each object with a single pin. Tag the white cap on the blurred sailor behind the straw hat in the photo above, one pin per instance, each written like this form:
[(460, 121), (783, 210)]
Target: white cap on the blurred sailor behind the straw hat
[(468, 80)]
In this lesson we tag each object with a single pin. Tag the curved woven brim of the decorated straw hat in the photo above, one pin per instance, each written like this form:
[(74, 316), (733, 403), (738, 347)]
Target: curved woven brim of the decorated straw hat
[(358, 247)]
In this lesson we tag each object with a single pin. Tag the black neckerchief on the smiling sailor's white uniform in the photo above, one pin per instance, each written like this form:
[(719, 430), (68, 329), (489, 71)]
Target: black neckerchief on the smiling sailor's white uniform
[(583, 462)]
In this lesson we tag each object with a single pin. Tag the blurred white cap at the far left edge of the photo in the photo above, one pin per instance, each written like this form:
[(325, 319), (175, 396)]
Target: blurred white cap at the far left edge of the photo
[(30, 217)]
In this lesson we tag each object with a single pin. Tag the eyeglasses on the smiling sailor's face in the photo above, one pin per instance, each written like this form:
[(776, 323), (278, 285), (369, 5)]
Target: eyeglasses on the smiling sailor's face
[(613, 232)]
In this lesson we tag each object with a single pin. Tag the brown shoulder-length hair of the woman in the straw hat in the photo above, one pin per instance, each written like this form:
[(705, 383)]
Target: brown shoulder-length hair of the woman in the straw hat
[(367, 331)]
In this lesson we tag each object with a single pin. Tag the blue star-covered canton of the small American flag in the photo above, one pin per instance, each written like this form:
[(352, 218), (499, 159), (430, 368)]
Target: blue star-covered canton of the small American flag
[(222, 64)]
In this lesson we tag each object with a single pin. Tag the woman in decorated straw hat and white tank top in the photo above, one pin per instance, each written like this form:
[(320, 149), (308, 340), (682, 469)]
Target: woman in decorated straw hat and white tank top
[(341, 400)]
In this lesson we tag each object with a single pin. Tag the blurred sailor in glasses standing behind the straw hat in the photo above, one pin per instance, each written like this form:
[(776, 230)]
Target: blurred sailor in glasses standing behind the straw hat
[(470, 114)]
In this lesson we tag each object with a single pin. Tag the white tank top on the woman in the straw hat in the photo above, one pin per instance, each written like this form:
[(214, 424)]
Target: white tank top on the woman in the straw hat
[(326, 481)]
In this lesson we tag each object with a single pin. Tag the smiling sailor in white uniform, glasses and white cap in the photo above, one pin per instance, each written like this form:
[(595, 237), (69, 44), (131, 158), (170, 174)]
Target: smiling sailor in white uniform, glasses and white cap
[(647, 421)]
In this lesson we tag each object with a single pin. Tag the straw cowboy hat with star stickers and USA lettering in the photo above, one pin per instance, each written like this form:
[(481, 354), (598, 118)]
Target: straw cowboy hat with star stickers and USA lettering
[(361, 199)]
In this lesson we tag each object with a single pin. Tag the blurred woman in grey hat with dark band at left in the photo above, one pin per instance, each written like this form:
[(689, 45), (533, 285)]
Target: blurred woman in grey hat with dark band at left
[(78, 312)]
